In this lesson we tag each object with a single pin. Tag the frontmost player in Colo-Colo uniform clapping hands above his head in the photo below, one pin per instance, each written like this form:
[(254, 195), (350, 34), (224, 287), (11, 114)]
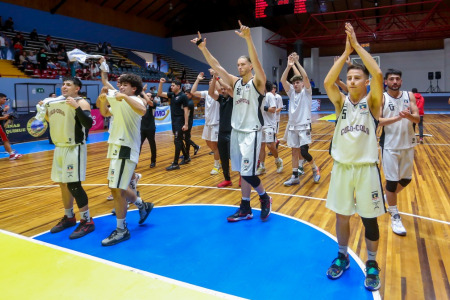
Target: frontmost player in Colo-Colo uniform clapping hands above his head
[(355, 185)]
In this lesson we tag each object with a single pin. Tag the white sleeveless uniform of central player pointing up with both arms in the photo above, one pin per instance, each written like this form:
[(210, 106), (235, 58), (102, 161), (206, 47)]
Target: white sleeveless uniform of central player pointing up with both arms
[(246, 122)]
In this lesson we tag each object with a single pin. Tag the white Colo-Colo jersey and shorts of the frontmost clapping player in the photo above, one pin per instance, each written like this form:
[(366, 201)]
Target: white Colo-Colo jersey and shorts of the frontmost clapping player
[(355, 173)]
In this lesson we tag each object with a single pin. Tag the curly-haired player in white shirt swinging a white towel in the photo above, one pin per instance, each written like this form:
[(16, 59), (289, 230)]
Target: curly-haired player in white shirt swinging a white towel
[(123, 151)]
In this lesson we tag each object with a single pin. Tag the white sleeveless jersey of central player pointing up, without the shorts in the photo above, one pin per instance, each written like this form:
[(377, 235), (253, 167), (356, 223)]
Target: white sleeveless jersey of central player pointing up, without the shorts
[(246, 114)]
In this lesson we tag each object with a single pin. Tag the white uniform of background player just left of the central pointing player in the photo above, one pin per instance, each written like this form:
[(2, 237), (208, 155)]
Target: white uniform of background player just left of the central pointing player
[(212, 118)]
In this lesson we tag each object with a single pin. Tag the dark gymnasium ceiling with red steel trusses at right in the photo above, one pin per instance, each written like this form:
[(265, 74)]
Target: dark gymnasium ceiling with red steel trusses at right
[(411, 24)]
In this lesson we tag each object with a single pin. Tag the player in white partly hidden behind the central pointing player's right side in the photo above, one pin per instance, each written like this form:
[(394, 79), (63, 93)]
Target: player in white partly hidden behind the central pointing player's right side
[(269, 132)]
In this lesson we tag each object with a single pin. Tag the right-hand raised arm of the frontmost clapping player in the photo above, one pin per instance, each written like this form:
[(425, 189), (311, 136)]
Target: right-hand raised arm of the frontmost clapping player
[(375, 96)]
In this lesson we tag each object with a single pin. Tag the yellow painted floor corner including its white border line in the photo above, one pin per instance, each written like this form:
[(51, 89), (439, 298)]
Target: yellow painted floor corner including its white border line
[(32, 270)]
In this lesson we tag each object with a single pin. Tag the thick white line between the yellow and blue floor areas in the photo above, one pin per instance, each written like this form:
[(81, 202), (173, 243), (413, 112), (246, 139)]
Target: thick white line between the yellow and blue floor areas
[(126, 268)]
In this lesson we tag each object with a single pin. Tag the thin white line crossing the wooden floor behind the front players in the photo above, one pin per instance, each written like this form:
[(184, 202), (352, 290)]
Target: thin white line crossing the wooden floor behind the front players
[(216, 188)]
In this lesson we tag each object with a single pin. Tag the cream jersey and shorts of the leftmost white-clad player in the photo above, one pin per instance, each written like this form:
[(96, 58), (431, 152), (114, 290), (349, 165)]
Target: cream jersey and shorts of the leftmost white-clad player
[(69, 137)]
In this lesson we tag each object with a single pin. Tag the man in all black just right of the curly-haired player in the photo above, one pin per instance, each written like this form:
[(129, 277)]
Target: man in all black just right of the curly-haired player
[(148, 128)]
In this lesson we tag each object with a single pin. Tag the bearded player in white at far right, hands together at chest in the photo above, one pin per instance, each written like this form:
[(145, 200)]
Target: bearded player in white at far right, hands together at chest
[(397, 115)]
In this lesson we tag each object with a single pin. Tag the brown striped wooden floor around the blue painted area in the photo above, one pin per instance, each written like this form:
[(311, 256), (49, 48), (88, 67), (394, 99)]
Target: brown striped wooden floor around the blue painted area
[(413, 267)]
